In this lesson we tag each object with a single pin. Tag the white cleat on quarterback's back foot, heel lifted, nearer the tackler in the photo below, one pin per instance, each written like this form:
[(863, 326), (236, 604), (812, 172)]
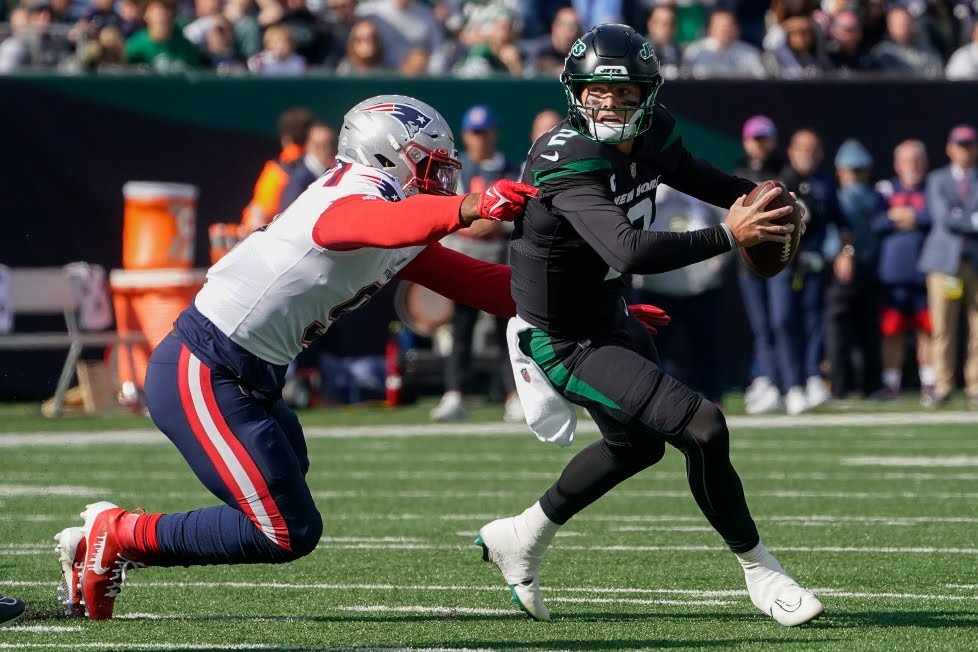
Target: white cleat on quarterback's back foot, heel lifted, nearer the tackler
[(519, 564)]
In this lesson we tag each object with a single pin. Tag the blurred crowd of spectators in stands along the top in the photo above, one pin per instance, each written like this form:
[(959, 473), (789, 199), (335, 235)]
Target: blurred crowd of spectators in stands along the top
[(796, 39)]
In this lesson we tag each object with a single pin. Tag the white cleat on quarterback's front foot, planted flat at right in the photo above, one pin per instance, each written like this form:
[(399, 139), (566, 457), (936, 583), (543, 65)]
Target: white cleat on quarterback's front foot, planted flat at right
[(773, 591)]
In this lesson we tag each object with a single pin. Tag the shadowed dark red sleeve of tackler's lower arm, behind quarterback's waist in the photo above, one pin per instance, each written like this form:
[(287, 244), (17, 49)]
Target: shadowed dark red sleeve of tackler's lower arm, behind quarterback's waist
[(463, 279)]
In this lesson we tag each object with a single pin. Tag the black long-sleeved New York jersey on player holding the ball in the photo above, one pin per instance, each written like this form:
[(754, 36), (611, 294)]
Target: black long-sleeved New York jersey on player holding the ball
[(589, 224)]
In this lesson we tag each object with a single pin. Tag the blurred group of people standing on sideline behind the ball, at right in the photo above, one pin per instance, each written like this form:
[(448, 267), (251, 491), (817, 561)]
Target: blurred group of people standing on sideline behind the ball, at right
[(887, 266)]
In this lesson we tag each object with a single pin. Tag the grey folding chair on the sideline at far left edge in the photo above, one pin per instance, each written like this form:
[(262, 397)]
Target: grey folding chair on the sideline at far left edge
[(47, 291)]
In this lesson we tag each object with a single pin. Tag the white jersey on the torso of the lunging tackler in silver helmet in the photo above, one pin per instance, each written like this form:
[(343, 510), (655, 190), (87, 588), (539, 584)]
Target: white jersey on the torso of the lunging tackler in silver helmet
[(277, 290)]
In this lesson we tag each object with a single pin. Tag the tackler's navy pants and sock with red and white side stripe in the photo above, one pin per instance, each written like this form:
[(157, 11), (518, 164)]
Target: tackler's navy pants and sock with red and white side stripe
[(251, 454)]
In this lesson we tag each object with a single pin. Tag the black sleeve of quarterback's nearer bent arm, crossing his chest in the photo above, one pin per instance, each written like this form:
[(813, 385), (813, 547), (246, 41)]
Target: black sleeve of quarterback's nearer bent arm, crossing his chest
[(627, 249)]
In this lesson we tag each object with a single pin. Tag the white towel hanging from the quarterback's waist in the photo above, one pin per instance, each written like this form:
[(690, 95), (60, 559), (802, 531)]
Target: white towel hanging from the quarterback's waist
[(551, 417)]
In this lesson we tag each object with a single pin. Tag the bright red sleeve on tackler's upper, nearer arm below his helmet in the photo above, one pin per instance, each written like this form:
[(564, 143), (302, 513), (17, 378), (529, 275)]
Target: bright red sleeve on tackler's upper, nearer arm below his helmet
[(368, 221)]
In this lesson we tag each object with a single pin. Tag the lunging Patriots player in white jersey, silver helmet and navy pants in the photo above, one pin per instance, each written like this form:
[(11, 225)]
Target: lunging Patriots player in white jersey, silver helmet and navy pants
[(214, 384)]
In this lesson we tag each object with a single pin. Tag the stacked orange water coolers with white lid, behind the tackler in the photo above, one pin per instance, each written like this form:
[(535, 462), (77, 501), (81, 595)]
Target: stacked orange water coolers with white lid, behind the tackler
[(157, 280)]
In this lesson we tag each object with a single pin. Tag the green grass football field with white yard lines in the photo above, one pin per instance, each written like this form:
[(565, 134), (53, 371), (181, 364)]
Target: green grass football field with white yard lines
[(876, 512)]
